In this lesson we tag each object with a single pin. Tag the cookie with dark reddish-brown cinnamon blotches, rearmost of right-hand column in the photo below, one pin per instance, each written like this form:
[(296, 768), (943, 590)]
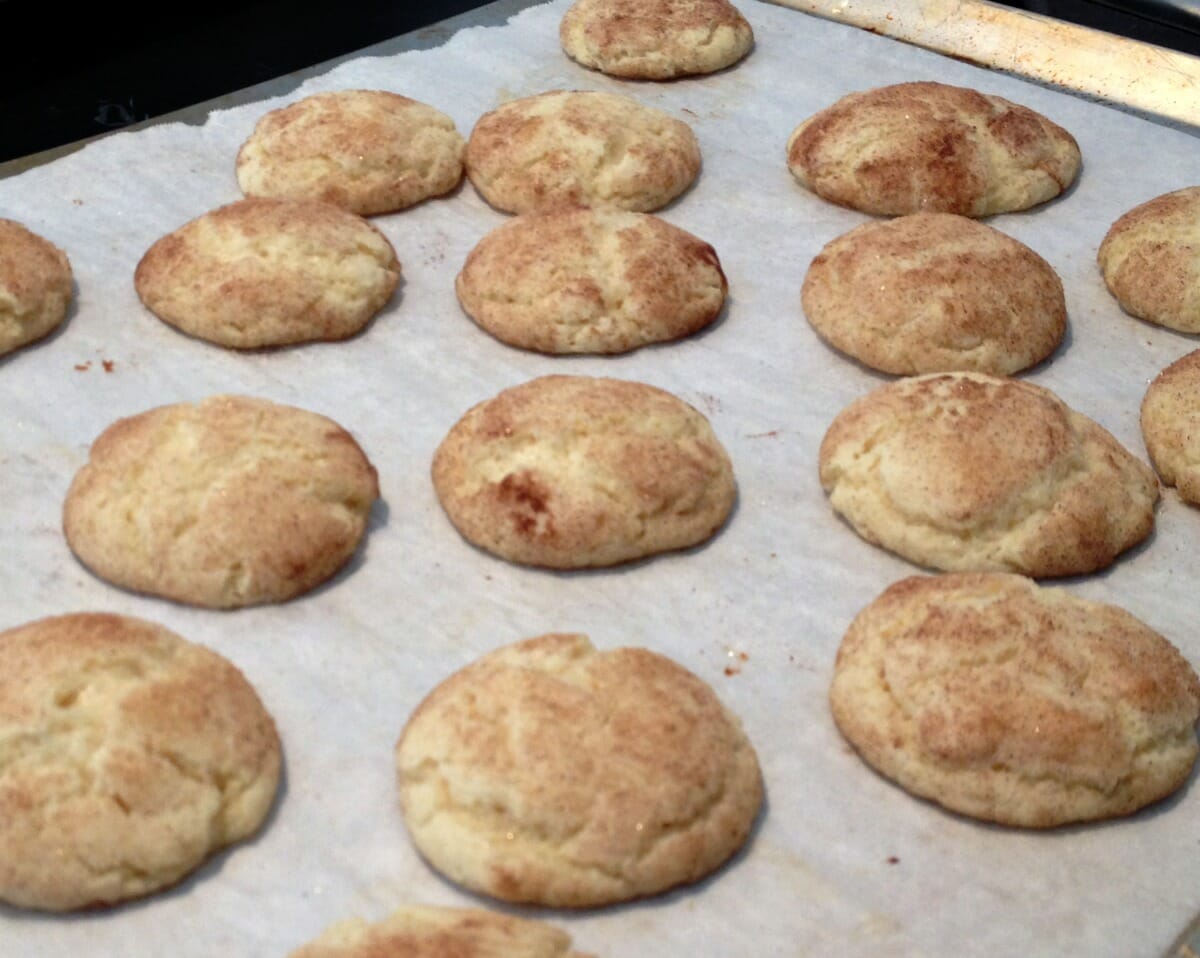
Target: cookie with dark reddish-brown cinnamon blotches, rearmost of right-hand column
[(931, 148)]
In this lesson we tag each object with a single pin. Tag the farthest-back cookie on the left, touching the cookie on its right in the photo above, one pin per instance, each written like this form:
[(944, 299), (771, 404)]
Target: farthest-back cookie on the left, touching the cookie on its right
[(369, 152)]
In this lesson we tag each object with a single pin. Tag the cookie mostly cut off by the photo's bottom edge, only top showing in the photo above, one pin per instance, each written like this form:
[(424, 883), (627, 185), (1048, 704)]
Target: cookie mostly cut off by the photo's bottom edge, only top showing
[(427, 932)]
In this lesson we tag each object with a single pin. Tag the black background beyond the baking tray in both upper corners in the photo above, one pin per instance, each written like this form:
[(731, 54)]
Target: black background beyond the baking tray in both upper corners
[(71, 73)]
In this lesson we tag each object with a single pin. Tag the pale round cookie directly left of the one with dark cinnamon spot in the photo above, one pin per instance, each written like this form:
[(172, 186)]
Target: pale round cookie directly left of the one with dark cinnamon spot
[(224, 504)]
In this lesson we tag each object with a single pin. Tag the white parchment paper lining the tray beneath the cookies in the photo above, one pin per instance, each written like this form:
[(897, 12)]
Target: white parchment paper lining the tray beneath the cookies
[(842, 863)]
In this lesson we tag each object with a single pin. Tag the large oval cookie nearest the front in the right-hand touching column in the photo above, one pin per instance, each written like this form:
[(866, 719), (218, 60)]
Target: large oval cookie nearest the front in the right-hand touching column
[(1016, 704)]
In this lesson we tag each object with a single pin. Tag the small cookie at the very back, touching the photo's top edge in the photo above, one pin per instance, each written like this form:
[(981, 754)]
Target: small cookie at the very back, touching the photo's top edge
[(656, 39)]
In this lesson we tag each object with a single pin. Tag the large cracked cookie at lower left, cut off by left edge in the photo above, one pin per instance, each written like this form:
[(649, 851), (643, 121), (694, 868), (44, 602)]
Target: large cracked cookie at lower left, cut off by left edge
[(128, 757)]
